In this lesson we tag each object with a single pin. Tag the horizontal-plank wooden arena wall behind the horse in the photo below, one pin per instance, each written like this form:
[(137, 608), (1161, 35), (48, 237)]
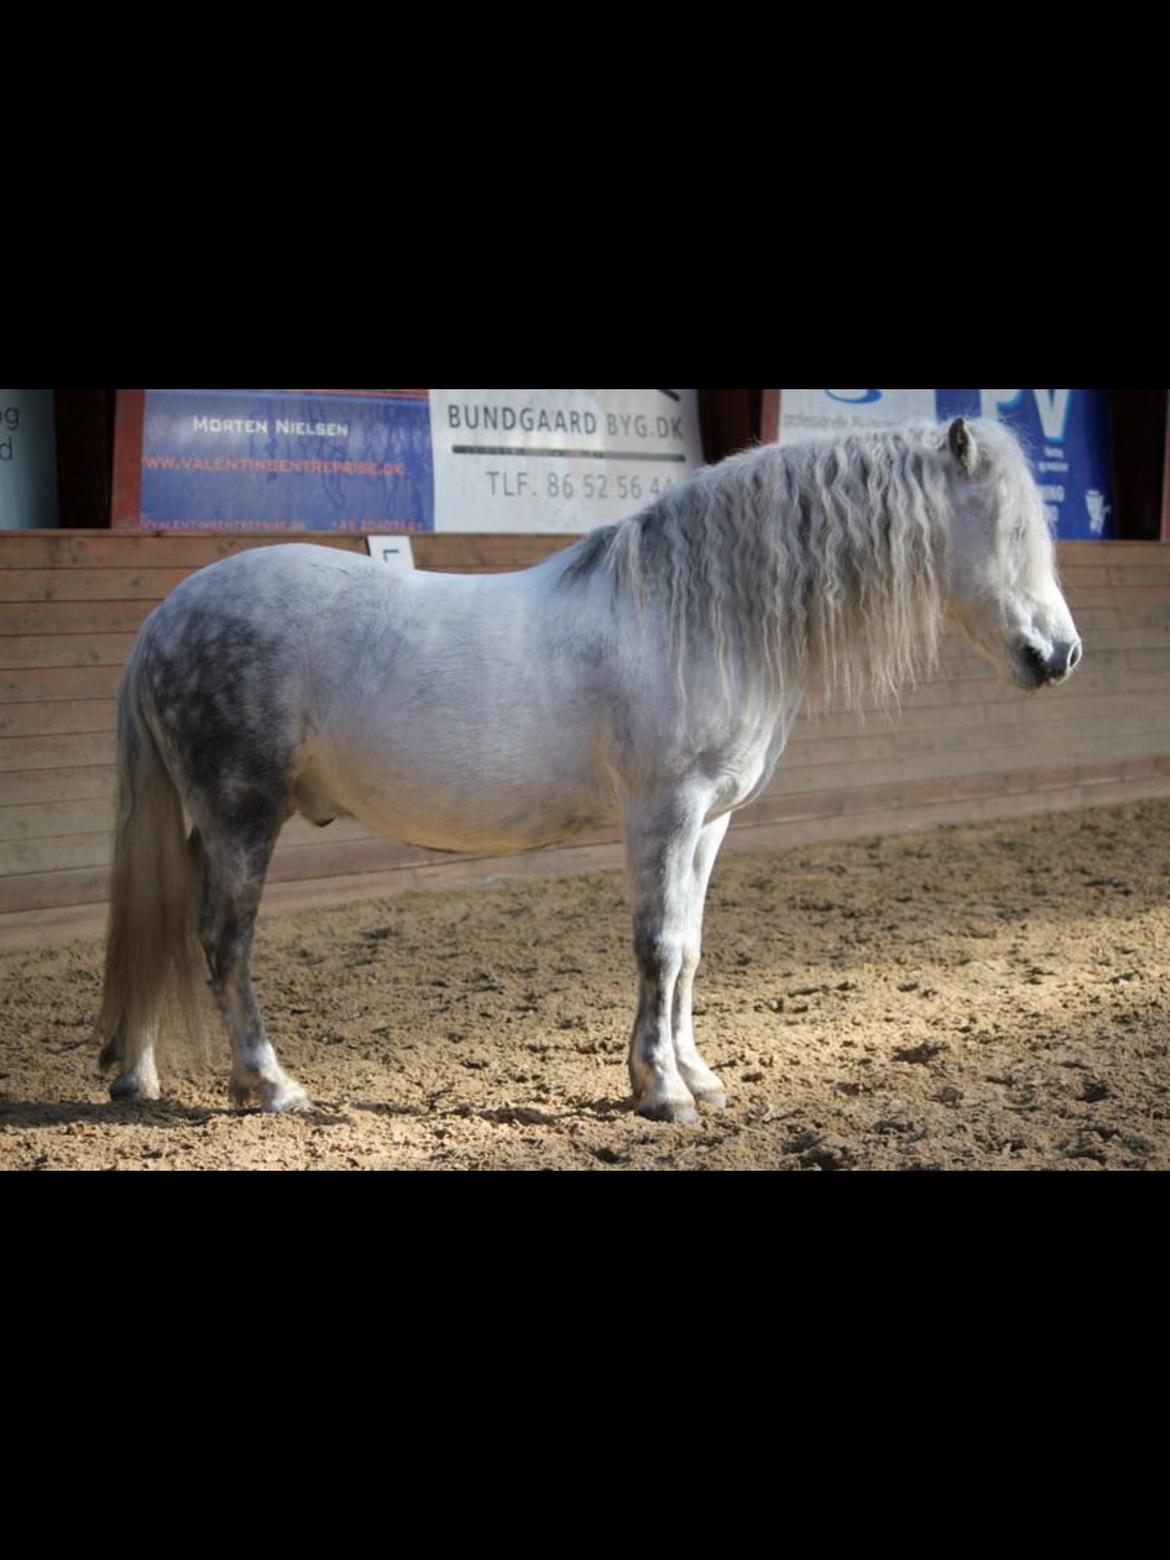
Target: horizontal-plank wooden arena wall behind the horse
[(965, 746)]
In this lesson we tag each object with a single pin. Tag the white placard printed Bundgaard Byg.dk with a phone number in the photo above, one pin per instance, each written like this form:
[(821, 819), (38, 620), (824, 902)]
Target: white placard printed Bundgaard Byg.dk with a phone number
[(558, 461)]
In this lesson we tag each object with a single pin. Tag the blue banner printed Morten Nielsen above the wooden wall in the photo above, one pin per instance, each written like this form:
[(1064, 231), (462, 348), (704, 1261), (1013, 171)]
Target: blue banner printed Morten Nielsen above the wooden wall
[(288, 459)]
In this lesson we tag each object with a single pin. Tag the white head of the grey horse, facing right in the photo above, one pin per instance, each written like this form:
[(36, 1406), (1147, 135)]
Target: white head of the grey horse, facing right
[(1002, 586)]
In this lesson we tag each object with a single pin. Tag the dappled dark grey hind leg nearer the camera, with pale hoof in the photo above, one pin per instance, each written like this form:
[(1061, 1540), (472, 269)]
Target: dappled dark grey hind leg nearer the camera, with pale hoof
[(236, 859)]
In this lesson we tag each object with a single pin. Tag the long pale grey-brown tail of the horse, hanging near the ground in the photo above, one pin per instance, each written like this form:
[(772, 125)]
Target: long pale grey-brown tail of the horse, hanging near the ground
[(155, 968)]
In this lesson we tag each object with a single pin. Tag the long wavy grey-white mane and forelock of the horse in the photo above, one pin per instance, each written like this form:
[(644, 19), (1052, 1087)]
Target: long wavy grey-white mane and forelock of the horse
[(818, 564)]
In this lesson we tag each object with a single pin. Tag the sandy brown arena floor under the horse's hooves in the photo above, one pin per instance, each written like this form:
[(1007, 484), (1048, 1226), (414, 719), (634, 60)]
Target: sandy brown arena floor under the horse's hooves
[(980, 998)]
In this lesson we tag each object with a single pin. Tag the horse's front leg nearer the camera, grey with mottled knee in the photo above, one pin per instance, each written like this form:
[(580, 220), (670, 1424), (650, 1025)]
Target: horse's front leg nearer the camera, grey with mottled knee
[(661, 838)]
